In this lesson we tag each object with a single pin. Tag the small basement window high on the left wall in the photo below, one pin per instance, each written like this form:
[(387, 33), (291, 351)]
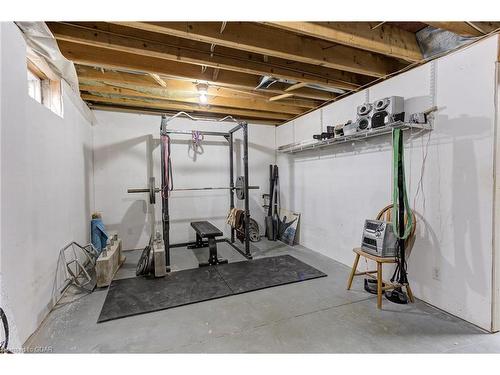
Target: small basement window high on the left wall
[(44, 85)]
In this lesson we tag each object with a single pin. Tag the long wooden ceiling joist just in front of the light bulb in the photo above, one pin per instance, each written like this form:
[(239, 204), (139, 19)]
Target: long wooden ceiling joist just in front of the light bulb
[(101, 57)]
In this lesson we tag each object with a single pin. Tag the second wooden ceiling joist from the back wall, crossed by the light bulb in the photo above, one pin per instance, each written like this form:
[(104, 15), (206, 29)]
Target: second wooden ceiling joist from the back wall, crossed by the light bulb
[(251, 104)]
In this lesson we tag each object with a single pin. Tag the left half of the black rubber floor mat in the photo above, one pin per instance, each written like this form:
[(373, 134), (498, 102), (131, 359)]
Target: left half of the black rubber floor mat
[(140, 295)]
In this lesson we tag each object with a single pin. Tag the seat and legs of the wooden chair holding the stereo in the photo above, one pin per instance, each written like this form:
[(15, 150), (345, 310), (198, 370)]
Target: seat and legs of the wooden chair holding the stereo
[(380, 261)]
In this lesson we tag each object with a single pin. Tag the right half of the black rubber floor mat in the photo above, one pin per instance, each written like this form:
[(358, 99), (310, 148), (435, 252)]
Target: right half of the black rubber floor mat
[(266, 272)]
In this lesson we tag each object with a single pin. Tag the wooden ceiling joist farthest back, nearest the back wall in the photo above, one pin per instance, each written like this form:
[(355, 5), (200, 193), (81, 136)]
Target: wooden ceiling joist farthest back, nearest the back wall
[(173, 106)]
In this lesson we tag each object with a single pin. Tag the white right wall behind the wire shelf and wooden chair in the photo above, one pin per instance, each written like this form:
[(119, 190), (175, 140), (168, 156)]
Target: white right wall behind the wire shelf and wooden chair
[(337, 188)]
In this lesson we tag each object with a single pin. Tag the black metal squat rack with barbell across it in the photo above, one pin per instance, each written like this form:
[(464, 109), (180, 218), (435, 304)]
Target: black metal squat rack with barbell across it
[(241, 187)]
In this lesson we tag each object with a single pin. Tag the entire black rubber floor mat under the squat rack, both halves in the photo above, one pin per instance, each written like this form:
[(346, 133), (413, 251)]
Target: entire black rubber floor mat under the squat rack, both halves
[(140, 295)]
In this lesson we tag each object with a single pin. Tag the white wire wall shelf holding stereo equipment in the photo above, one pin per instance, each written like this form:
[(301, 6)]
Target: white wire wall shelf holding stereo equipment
[(362, 135)]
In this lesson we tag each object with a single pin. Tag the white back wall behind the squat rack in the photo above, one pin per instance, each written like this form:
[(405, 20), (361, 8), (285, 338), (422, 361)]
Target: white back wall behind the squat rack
[(121, 159)]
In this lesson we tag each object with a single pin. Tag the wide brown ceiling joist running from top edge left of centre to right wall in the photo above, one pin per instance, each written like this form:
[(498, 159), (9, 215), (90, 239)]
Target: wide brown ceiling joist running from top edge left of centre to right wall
[(272, 42)]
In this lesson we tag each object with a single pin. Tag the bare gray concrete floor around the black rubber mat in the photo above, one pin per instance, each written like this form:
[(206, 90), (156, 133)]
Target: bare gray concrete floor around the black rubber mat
[(312, 316)]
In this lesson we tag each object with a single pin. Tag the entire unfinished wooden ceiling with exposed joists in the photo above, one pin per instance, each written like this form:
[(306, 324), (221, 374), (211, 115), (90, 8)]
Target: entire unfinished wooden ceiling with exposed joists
[(267, 72)]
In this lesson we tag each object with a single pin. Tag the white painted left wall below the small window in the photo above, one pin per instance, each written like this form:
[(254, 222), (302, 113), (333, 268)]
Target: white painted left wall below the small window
[(46, 189)]
